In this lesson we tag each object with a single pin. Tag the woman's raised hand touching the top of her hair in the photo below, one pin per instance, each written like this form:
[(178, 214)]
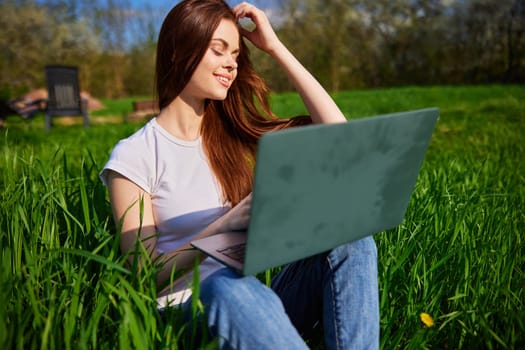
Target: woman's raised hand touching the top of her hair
[(262, 36)]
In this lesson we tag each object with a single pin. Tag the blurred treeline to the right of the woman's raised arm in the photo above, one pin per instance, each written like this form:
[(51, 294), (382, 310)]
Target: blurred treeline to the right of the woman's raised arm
[(363, 44)]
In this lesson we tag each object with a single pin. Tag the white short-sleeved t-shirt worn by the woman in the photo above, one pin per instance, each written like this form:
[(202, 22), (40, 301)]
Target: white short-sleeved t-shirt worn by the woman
[(185, 194)]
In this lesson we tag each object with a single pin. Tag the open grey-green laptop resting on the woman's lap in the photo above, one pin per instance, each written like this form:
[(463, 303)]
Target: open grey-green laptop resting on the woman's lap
[(320, 186)]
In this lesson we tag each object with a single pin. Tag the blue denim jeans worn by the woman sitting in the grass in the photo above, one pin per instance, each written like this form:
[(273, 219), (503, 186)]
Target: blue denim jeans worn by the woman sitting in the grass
[(337, 289)]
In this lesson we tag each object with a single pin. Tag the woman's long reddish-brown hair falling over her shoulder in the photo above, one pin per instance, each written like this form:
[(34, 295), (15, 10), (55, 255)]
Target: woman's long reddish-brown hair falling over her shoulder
[(230, 128)]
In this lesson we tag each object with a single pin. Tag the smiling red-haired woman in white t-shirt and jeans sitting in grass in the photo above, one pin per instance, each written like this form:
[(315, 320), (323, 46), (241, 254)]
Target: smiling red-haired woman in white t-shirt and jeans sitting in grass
[(188, 174)]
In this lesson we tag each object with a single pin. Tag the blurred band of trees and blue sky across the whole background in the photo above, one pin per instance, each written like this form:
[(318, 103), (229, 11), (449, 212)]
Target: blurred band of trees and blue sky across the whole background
[(345, 43)]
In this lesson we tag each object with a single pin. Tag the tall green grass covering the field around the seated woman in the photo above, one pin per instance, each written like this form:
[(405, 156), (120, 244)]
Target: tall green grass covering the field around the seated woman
[(458, 255)]
